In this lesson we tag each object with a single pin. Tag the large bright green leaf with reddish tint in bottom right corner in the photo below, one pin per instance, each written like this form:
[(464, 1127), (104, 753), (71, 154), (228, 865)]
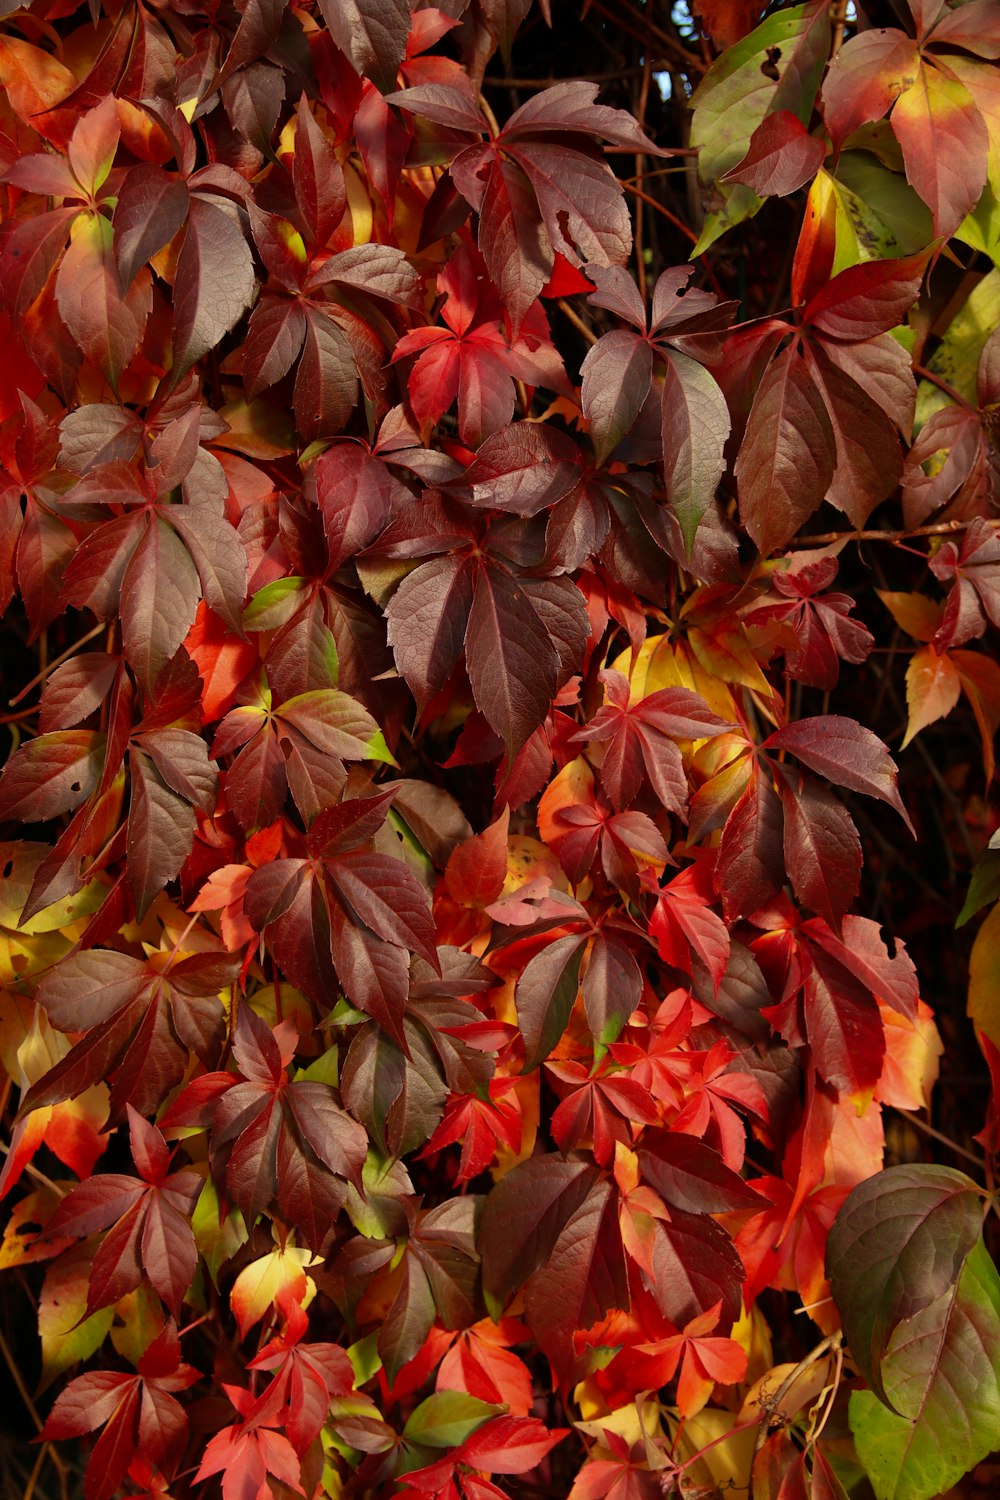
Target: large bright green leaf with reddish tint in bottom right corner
[(942, 1373)]
